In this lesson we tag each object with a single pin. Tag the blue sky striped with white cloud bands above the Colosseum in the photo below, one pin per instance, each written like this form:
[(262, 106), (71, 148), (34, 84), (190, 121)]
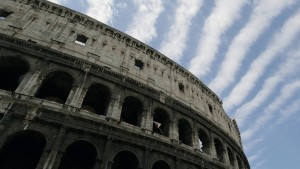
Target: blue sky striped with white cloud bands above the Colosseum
[(247, 51)]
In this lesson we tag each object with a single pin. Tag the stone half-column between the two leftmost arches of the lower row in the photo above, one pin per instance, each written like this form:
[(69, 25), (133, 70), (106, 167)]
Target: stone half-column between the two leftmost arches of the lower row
[(48, 163)]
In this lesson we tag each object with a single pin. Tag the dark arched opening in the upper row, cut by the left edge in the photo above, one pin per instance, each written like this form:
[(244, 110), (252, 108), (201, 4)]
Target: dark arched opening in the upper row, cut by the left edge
[(12, 71)]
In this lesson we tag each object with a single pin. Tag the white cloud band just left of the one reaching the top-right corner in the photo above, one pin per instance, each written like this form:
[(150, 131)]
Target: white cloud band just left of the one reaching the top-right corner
[(222, 17)]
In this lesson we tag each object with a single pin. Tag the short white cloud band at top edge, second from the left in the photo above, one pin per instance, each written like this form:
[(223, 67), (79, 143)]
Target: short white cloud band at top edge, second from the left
[(143, 24)]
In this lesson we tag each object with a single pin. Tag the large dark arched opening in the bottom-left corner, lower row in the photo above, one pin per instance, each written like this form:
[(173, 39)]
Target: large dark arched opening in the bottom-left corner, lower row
[(22, 150)]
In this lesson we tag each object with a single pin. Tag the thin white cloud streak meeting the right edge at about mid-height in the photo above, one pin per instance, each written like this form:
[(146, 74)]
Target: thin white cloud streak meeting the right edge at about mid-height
[(285, 93)]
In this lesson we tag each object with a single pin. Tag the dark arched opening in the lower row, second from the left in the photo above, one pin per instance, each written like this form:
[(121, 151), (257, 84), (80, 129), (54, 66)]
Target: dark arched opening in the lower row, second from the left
[(79, 155)]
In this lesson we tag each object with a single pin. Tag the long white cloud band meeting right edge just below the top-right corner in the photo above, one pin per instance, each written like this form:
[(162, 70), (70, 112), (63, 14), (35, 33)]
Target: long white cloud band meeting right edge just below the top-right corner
[(278, 43)]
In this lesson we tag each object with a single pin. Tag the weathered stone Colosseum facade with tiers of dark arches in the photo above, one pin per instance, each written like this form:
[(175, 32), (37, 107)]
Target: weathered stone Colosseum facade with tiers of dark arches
[(78, 94)]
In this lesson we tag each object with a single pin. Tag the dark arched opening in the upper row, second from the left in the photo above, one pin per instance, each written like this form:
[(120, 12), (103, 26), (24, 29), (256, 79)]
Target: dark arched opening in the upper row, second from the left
[(56, 87)]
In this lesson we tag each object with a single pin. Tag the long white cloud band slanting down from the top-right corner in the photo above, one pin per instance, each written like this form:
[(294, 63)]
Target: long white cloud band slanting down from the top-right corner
[(263, 14)]
